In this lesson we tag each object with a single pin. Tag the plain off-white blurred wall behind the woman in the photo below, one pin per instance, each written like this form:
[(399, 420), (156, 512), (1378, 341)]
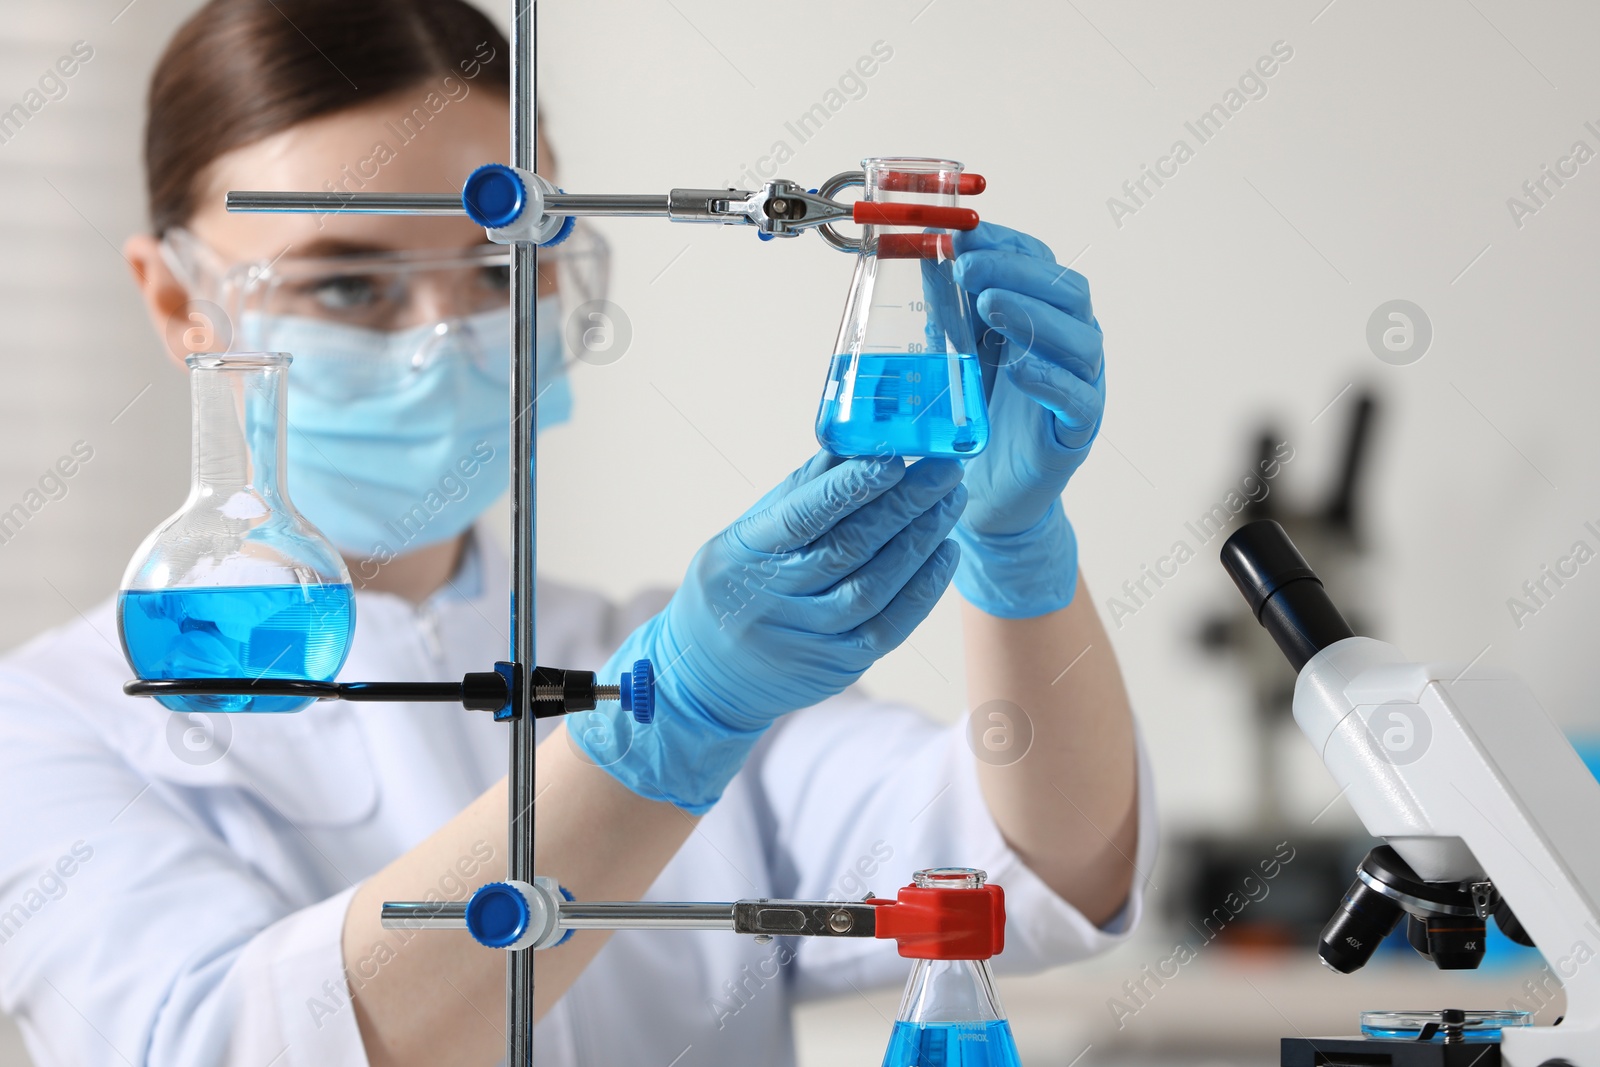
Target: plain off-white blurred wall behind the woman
[(1377, 167)]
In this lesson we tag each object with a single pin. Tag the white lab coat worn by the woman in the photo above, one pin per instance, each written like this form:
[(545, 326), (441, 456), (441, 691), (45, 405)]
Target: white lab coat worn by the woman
[(175, 911)]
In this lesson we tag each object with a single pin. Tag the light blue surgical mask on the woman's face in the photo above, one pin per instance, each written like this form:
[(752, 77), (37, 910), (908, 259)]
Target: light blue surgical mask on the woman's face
[(399, 441)]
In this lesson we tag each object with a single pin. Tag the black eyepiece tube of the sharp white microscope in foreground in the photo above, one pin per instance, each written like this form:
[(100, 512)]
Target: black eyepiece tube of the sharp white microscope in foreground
[(1282, 591)]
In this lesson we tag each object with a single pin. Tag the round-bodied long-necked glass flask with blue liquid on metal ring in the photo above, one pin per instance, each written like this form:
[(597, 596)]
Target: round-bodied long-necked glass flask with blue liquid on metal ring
[(238, 585)]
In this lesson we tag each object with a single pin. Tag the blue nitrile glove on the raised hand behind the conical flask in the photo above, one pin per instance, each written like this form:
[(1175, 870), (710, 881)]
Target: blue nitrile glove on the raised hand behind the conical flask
[(1046, 378)]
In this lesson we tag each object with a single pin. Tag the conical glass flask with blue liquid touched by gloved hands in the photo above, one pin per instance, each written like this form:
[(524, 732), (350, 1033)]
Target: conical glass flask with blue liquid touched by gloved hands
[(906, 380)]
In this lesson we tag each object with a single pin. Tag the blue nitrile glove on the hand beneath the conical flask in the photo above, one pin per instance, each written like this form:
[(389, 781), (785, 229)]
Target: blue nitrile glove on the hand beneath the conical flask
[(783, 609)]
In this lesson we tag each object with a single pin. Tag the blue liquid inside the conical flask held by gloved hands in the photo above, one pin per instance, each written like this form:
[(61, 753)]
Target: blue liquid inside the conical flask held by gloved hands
[(905, 406)]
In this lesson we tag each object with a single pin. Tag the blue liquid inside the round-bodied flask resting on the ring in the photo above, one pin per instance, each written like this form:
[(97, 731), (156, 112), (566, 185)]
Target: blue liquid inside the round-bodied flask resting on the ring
[(238, 633)]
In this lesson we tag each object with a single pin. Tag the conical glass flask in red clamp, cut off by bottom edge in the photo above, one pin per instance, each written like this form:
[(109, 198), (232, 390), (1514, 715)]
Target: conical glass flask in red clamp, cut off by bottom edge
[(951, 1015)]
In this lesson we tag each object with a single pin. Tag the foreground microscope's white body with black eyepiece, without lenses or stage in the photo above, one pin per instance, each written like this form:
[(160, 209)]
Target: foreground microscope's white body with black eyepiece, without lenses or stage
[(1458, 770)]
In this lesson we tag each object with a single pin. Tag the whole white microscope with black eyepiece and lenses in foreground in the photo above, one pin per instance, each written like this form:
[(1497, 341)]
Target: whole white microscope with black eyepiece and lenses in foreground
[(1482, 804)]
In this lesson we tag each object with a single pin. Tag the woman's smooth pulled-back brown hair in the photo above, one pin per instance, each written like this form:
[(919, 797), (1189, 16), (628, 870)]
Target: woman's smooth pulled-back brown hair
[(241, 71)]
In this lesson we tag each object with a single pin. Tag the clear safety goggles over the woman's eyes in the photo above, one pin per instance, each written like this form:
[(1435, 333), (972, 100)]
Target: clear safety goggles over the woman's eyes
[(386, 292)]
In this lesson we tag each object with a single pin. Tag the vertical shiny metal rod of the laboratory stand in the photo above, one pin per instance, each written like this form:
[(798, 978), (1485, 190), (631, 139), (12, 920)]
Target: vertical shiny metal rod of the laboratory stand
[(524, 433)]
